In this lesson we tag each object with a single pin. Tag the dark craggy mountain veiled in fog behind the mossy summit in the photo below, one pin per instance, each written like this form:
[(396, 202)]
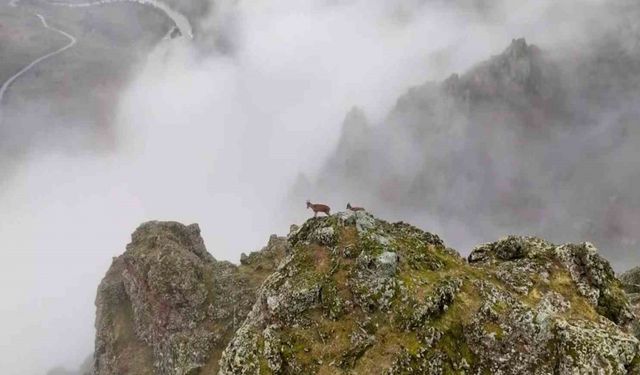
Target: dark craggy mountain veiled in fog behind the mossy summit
[(528, 141)]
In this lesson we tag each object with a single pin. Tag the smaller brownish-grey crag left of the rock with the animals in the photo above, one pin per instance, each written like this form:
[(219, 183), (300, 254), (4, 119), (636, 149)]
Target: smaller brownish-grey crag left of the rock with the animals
[(166, 306)]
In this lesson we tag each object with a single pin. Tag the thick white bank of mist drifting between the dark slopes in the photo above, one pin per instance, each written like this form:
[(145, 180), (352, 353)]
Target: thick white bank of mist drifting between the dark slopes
[(217, 137)]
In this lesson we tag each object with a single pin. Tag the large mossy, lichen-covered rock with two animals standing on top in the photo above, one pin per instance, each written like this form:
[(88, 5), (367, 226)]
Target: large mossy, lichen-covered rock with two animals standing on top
[(363, 296)]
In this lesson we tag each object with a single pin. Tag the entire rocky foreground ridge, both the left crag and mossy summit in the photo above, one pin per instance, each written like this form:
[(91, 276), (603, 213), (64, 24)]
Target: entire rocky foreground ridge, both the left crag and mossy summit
[(353, 294)]
